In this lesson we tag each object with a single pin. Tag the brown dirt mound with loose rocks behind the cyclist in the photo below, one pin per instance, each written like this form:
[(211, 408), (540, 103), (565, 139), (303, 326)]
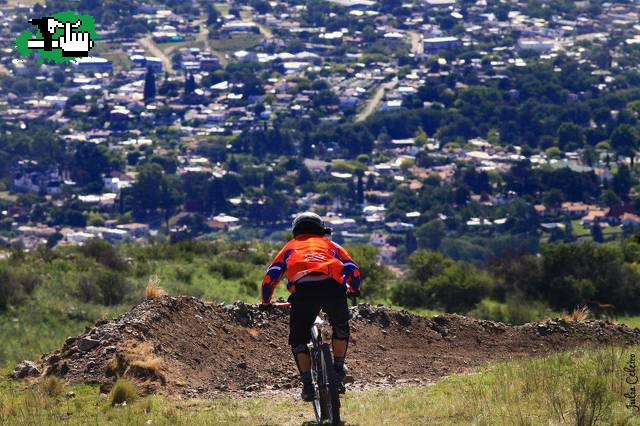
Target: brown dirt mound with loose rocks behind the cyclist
[(185, 347)]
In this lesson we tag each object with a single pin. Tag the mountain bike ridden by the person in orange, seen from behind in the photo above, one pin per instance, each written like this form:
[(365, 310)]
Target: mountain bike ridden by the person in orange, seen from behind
[(326, 404)]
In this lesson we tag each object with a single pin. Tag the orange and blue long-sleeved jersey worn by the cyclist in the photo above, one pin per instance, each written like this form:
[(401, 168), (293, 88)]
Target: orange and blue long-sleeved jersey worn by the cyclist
[(310, 254)]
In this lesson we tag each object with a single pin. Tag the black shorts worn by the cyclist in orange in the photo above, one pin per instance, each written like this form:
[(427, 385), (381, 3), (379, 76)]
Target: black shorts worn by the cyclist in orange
[(306, 303)]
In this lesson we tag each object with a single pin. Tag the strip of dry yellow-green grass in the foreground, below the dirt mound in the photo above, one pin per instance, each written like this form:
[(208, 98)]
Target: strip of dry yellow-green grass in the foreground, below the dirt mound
[(564, 388)]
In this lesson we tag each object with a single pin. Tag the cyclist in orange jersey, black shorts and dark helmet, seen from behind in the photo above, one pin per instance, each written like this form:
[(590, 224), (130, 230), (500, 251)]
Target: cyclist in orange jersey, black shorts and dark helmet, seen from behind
[(320, 274)]
